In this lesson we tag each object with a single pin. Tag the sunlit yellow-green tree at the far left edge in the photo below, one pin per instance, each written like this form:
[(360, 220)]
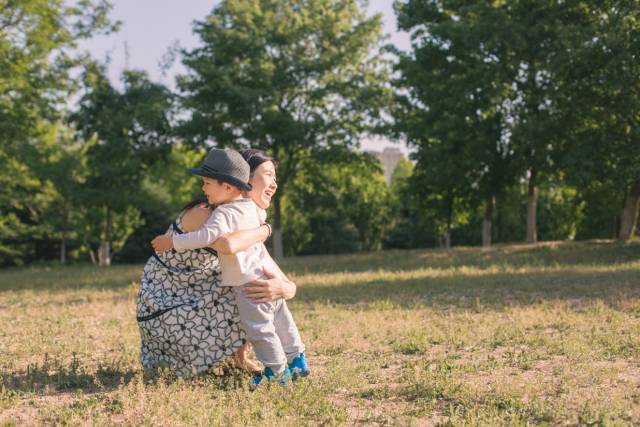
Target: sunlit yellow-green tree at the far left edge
[(37, 44)]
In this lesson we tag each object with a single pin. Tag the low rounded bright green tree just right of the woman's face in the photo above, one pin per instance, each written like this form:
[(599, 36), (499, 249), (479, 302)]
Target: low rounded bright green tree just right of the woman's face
[(339, 202)]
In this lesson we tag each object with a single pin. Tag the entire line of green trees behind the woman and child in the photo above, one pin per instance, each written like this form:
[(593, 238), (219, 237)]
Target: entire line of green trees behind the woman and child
[(522, 115)]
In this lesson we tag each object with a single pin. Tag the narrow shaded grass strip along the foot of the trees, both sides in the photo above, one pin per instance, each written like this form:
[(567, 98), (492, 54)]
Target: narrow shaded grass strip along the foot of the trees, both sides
[(534, 255)]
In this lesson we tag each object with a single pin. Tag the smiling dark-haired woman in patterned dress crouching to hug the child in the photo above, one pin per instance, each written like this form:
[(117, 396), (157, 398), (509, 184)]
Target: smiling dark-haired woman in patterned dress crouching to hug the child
[(187, 321)]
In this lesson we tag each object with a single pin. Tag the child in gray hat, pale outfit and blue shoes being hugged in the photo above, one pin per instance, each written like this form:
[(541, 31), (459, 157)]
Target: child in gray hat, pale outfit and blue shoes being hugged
[(269, 326)]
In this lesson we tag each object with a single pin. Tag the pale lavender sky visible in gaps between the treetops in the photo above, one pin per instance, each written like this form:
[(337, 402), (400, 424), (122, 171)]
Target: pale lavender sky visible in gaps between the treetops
[(149, 28)]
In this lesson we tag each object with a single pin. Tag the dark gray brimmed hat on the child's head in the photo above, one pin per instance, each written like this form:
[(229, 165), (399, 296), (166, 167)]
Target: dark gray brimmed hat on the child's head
[(227, 166)]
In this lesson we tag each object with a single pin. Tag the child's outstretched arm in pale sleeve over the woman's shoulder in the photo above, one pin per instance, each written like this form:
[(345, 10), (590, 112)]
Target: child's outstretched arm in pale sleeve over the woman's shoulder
[(218, 224)]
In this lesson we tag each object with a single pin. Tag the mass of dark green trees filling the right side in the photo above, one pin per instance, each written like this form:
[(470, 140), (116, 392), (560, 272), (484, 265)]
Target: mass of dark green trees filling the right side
[(514, 102)]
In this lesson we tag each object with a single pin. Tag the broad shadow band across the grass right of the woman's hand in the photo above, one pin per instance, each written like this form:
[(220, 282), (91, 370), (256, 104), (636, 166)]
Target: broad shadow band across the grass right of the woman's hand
[(476, 292)]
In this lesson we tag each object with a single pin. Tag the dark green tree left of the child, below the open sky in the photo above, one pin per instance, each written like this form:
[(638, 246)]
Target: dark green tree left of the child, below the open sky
[(128, 130)]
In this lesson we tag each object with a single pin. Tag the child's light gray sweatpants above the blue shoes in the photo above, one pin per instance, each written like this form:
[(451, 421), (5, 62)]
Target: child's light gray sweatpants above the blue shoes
[(270, 328)]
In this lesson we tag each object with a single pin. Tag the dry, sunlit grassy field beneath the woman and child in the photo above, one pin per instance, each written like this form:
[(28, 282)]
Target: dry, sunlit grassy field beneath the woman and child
[(518, 335)]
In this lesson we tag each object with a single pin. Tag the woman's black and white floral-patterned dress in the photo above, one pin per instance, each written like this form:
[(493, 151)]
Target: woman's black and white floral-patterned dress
[(188, 322)]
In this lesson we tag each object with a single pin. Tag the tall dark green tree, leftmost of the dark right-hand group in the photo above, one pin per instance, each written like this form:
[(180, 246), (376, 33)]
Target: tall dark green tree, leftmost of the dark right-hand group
[(451, 109)]
